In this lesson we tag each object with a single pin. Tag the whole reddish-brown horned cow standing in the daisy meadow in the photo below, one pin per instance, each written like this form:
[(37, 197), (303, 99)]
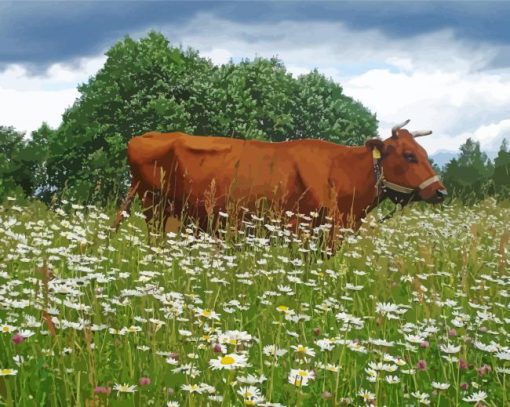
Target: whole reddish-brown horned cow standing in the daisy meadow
[(197, 176)]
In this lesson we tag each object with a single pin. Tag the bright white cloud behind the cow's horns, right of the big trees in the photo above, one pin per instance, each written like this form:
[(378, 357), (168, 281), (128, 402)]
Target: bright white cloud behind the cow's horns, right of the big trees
[(454, 105)]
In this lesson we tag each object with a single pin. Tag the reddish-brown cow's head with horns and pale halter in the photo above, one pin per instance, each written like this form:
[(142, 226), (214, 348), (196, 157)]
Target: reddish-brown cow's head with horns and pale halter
[(407, 173)]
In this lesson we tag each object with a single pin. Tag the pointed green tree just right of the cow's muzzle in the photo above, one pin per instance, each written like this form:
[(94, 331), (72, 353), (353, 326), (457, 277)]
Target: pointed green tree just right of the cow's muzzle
[(468, 175)]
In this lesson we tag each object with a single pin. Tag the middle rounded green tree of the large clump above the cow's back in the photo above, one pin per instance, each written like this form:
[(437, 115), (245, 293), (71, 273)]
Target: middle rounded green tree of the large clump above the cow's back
[(252, 100)]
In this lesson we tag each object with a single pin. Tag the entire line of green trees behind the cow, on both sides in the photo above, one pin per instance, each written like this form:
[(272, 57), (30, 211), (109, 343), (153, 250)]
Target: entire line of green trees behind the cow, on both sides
[(148, 84)]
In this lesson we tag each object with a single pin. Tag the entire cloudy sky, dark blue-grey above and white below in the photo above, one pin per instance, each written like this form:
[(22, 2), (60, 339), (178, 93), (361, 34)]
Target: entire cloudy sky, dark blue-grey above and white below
[(443, 64)]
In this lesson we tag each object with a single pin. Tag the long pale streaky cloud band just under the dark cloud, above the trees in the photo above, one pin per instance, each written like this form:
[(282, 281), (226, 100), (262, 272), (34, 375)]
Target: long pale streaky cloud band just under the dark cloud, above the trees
[(310, 44)]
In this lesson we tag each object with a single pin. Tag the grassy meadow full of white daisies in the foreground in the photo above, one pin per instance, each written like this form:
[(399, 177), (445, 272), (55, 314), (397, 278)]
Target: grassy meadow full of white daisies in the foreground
[(410, 311)]
